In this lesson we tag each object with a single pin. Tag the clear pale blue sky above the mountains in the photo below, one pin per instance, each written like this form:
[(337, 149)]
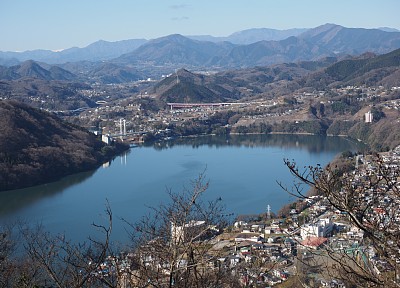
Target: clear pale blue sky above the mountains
[(60, 24)]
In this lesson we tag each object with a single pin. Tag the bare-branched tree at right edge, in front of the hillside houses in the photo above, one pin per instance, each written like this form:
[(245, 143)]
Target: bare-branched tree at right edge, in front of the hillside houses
[(370, 197)]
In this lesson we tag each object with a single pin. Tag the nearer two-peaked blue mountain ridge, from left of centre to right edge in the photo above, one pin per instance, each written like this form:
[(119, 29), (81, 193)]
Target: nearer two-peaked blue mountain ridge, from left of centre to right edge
[(328, 40)]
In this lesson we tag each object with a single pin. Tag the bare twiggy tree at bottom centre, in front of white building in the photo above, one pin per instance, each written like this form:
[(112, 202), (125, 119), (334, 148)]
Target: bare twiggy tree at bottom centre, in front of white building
[(174, 243)]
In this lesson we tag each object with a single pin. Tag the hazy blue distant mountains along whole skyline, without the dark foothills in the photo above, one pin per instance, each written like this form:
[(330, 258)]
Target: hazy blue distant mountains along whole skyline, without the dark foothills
[(329, 38)]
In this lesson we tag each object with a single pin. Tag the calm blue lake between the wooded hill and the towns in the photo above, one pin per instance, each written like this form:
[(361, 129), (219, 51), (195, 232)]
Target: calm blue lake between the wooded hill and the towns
[(242, 170)]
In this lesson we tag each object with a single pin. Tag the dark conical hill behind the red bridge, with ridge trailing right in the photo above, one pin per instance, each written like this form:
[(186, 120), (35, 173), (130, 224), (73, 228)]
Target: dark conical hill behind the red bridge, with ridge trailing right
[(187, 87)]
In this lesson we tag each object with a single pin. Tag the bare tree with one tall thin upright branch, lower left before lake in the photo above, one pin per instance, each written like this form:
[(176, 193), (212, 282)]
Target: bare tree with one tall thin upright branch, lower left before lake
[(54, 261)]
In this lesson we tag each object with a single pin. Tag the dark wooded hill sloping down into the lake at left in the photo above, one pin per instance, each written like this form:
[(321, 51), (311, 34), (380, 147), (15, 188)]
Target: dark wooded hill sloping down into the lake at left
[(37, 147)]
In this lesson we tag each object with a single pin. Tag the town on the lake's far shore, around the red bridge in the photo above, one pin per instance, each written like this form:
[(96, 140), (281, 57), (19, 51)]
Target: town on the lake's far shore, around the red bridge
[(178, 118)]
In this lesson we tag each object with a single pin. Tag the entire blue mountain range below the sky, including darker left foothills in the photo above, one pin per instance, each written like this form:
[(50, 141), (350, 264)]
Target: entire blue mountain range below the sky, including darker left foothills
[(167, 54)]
